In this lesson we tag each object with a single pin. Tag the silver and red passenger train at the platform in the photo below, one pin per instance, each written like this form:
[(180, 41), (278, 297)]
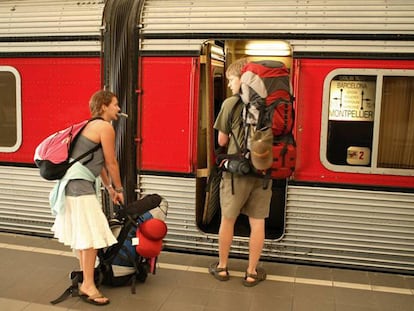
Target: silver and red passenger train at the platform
[(350, 200)]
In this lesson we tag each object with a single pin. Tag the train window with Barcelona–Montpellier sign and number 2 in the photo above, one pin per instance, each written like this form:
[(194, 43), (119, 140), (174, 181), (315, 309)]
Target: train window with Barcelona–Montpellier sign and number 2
[(368, 121)]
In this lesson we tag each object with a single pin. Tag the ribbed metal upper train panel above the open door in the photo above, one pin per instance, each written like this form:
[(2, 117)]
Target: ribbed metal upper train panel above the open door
[(320, 22)]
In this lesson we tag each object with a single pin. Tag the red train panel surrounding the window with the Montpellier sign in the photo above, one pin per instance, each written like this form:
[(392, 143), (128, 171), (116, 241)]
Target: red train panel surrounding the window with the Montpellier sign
[(311, 74)]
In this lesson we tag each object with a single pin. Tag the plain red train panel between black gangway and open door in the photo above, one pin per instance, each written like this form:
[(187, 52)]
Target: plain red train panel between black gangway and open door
[(168, 106)]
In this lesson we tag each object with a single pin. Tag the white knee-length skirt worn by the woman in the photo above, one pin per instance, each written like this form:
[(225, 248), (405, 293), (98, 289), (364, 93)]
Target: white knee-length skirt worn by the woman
[(83, 224)]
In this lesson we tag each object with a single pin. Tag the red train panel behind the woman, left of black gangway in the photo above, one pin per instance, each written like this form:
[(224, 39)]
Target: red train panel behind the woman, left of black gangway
[(55, 93)]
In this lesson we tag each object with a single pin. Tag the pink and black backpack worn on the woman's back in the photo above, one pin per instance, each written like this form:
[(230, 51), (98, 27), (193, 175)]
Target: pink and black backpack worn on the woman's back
[(52, 155)]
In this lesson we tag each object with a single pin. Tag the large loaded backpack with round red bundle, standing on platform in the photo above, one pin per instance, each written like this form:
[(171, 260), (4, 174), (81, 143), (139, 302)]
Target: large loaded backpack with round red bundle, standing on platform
[(139, 229)]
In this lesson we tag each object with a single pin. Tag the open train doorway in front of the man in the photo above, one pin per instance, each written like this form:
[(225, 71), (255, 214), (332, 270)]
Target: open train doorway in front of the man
[(214, 84)]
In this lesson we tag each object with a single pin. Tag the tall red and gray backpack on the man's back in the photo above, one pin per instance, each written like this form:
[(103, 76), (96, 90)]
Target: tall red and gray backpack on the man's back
[(266, 94)]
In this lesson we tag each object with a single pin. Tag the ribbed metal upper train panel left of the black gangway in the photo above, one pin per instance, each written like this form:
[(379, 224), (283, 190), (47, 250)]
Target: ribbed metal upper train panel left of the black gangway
[(77, 23)]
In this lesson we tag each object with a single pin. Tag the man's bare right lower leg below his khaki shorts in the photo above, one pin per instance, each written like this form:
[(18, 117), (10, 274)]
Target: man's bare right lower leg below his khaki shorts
[(257, 235)]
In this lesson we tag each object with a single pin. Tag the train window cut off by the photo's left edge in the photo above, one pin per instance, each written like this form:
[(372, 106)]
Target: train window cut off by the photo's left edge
[(10, 109)]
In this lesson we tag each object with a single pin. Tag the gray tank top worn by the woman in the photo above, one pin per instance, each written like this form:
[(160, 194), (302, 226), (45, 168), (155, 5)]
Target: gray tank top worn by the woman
[(94, 162)]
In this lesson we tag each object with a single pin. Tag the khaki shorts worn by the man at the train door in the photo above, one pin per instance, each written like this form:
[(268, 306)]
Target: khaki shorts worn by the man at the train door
[(249, 197)]
